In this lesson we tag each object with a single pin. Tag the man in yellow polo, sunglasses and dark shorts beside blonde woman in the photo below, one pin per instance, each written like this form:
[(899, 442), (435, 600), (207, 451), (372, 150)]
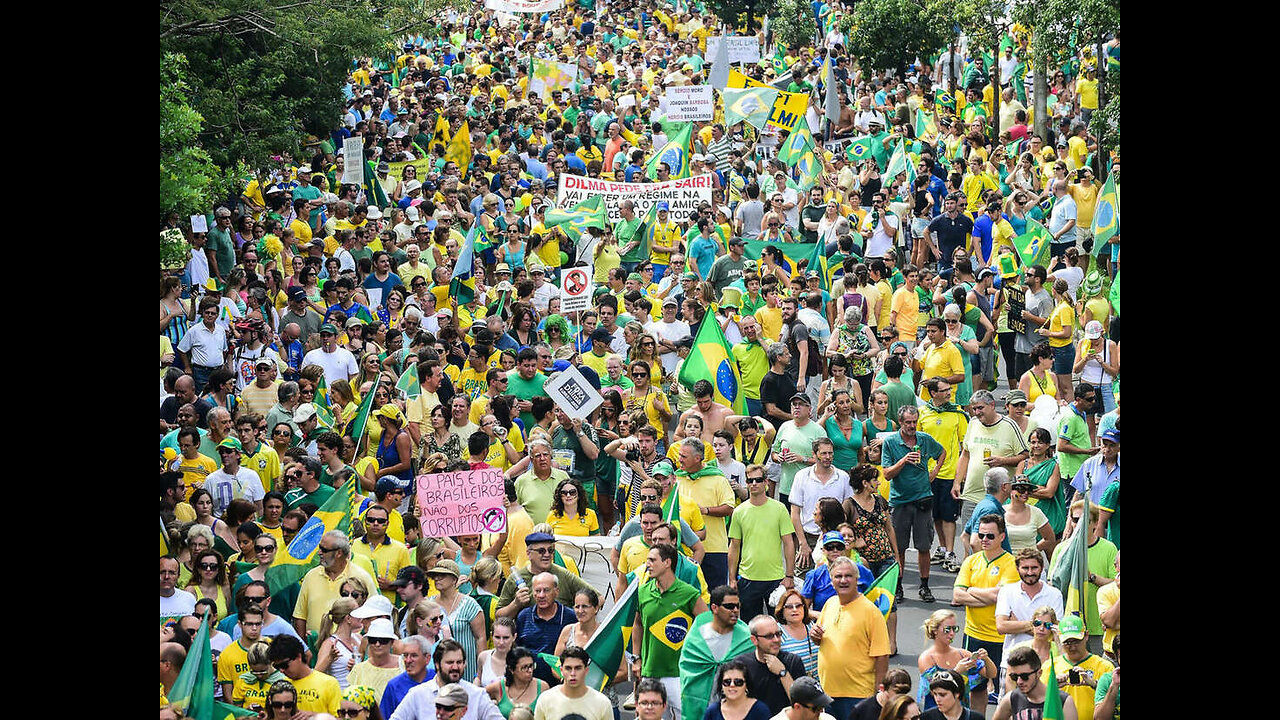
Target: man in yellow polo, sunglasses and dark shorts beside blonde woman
[(979, 584)]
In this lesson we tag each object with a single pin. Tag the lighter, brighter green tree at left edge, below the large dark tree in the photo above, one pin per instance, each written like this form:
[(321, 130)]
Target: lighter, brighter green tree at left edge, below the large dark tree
[(190, 181)]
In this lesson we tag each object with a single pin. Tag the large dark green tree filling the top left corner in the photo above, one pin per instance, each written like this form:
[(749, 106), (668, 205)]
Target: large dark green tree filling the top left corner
[(264, 75)]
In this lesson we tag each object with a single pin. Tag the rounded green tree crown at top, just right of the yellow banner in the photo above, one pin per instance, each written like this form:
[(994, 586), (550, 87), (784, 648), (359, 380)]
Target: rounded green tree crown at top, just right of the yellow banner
[(892, 34)]
